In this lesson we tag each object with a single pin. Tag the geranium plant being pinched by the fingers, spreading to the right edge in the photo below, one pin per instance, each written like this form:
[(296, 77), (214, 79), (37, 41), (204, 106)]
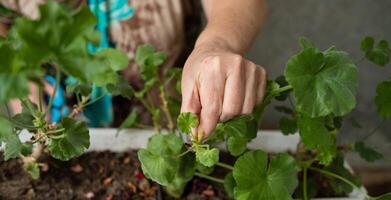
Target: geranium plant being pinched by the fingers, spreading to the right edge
[(324, 86)]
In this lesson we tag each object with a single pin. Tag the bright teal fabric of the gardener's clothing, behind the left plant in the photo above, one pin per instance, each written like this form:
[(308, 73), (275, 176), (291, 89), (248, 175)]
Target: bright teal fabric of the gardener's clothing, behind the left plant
[(100, 113)]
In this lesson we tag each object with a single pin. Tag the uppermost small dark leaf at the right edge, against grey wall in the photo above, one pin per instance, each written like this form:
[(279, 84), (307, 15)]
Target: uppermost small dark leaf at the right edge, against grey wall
[(379, 54)]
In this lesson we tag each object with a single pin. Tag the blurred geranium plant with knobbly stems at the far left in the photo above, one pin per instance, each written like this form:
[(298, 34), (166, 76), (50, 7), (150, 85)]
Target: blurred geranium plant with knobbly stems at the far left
[(58, 40)]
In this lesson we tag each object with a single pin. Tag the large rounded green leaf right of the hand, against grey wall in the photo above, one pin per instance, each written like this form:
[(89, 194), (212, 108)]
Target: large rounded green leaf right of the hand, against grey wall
[(323, 83)]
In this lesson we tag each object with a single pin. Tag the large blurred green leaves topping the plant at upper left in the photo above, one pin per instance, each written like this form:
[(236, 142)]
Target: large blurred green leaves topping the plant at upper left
[(61, 37)]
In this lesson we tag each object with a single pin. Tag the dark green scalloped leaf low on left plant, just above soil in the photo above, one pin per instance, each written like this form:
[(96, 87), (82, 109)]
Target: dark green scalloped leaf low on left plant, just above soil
[(74, 141)]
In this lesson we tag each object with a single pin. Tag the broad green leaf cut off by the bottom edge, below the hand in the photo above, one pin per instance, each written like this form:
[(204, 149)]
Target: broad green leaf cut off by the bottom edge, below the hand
[(256, 179)]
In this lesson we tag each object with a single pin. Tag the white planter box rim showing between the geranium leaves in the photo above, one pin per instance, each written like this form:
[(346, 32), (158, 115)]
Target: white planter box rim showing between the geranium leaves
[(102, 139)]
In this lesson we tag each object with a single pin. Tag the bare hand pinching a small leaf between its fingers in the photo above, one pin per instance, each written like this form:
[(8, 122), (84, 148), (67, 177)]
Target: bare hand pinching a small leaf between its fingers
[(218, 85)]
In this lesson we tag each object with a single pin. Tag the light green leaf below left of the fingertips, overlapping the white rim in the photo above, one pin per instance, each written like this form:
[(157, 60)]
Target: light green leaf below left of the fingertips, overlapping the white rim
[(159, 160)]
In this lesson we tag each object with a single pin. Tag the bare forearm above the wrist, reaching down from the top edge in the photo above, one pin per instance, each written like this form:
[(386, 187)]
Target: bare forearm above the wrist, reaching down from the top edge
[(232, 24)]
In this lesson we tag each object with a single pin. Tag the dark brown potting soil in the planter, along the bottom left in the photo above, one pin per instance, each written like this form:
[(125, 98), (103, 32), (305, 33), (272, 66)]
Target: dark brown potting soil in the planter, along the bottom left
[(94, 175)]
